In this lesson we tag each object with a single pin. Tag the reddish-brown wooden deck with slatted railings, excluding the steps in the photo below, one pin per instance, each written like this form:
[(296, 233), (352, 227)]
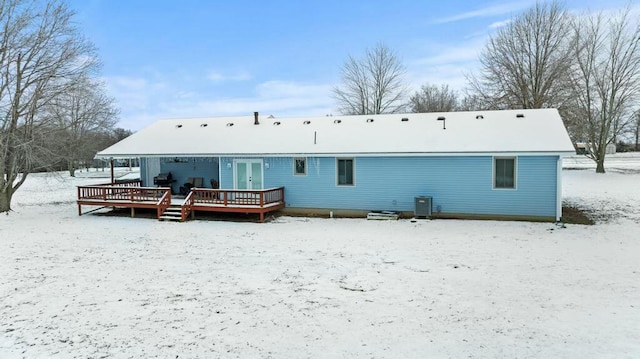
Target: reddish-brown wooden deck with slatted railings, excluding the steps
[(132, 195)]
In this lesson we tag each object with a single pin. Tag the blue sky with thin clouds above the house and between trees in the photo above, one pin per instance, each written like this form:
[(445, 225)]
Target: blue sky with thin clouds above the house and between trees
[(168, 59)]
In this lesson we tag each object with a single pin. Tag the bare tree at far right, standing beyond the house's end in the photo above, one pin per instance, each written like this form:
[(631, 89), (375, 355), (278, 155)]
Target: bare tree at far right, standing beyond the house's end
[(606, 78)]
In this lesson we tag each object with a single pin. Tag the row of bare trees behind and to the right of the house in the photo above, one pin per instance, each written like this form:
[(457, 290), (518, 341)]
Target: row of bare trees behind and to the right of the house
[(585, 65)]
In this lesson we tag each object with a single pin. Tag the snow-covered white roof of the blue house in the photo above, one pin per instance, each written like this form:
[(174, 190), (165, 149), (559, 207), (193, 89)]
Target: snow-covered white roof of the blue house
[(473, 133)]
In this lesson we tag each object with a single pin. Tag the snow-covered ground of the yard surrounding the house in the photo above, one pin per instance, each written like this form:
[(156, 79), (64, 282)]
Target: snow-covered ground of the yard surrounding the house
[(116, 287)]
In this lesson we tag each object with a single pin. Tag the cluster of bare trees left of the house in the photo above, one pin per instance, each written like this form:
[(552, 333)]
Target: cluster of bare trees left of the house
[(54, 111)]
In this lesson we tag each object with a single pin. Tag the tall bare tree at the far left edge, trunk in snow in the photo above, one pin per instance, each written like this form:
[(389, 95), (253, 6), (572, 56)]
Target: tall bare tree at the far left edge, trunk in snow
[(41, 54)]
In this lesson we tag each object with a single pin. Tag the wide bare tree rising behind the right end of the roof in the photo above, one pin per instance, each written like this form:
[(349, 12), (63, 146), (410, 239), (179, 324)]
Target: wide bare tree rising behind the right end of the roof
[(525, 65)]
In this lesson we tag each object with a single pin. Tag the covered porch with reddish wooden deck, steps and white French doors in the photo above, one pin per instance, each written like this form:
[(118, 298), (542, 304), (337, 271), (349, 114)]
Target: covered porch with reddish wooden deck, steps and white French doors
[(177, 184)]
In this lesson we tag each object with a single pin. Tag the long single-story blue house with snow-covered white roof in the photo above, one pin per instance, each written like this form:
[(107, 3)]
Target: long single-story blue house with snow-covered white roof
[(479, 164)]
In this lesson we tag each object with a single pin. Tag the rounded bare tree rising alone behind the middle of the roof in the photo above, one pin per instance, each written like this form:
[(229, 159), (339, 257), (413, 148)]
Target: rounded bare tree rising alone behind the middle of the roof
[(371, 85)]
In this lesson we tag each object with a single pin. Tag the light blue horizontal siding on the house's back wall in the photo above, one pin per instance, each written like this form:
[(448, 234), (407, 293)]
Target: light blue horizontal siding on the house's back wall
[(457, 184)]
